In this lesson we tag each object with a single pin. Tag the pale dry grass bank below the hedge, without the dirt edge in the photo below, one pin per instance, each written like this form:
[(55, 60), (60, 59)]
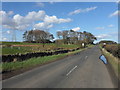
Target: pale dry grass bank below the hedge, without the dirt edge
[(113, 61)]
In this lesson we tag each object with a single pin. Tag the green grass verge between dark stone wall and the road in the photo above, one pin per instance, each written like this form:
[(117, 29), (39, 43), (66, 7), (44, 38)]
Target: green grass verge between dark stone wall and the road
[(34, 61)]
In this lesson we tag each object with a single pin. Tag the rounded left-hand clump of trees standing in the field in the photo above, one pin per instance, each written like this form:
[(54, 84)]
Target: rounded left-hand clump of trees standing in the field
[(38, 36)]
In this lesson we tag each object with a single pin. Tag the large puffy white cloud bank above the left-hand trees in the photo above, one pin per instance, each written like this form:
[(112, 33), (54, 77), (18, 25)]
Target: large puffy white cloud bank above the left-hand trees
[(18, 22)]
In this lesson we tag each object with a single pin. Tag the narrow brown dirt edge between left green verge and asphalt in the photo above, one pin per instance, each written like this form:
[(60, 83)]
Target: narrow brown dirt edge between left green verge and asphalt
[(12, 73)]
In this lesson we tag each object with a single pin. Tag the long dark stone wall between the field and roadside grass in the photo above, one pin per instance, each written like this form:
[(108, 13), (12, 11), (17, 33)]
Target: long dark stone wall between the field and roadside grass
[(22, 57)]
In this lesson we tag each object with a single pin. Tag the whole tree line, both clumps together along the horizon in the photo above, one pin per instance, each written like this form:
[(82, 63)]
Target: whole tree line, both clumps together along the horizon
[(64, 37)]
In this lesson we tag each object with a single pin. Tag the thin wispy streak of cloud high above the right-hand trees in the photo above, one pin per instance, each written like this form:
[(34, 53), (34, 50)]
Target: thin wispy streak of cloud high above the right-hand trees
[(82, 10)]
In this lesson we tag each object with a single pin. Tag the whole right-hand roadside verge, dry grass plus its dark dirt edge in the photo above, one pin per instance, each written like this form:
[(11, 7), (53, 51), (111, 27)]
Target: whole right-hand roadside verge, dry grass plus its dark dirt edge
[(111, 66)]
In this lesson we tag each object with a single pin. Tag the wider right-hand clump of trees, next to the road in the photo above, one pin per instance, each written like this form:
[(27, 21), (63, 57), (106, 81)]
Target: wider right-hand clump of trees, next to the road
[(73, 37)]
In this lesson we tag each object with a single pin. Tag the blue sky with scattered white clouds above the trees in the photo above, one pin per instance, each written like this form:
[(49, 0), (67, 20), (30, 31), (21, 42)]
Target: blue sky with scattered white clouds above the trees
[(98, 18)]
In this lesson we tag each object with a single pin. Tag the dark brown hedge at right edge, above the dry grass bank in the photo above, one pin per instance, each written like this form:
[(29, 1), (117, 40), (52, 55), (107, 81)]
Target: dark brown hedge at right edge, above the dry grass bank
[(113, 49)]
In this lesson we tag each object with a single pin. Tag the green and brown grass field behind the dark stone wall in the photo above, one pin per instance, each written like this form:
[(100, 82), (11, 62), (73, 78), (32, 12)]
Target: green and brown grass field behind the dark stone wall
[(7, 49)]
